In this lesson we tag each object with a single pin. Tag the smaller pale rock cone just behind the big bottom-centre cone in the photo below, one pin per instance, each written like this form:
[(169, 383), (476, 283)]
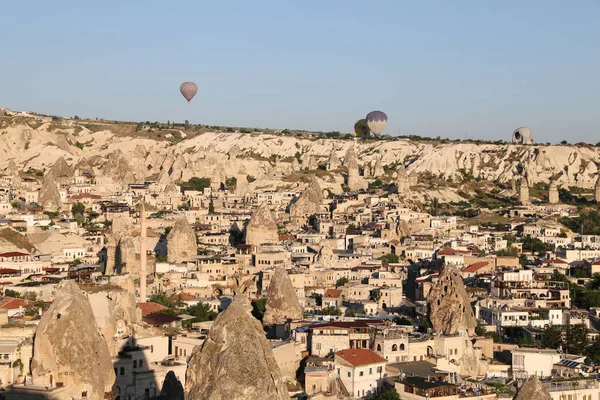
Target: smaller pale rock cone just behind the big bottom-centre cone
[(282, 302)]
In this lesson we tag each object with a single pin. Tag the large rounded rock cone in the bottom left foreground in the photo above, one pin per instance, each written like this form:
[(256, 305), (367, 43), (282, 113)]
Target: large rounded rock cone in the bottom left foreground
[(68, 349)]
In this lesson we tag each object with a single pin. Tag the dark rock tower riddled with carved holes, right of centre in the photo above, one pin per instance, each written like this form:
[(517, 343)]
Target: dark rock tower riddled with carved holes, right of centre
[(449, 304)]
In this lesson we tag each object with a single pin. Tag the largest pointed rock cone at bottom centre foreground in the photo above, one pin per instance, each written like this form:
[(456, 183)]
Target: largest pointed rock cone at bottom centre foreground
[(235, 362)]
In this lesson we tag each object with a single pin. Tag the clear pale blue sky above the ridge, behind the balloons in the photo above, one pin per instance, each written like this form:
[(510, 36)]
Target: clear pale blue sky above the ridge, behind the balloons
[(448, 68)]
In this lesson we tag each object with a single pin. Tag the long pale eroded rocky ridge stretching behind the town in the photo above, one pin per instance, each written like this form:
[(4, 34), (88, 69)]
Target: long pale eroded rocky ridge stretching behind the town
[(122, 153)]
